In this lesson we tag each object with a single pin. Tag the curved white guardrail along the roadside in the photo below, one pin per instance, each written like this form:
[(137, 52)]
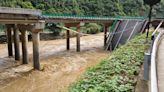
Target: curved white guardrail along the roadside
[(154, 81)]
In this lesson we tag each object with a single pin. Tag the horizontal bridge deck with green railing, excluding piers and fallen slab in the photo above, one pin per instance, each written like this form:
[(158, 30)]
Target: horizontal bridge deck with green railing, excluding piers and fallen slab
[(21, 16)]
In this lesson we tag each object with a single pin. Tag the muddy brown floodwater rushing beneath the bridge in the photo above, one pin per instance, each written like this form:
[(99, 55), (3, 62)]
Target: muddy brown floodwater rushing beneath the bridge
[(60, 68)]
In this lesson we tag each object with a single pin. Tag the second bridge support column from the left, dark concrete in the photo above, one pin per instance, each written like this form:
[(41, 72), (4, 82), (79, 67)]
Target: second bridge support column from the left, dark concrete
[(16, 43)]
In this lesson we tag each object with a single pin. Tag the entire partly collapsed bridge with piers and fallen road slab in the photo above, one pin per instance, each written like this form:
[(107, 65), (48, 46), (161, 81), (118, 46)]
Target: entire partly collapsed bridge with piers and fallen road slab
[(19, 20)]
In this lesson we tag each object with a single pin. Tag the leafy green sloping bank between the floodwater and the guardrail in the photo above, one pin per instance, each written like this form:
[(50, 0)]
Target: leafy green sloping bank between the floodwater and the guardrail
[(116, 74)]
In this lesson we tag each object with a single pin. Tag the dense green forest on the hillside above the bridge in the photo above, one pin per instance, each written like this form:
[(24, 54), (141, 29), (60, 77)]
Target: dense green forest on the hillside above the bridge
[(88, 7)]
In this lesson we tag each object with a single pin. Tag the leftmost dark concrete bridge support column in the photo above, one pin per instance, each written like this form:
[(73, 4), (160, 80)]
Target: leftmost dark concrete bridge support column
[(9, 40)]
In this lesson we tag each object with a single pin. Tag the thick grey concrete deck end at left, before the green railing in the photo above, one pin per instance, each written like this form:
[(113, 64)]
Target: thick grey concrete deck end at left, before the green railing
[(19, 15)]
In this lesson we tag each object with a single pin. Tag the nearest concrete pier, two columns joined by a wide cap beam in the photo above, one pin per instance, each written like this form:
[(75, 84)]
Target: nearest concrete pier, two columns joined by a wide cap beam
[(35, 29)]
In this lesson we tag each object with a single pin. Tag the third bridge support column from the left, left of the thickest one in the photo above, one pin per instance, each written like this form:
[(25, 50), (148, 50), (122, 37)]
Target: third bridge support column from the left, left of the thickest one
[(24, 38)]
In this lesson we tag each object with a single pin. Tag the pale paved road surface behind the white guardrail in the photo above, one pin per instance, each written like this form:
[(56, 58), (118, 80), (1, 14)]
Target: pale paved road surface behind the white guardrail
[(160, 65)]
